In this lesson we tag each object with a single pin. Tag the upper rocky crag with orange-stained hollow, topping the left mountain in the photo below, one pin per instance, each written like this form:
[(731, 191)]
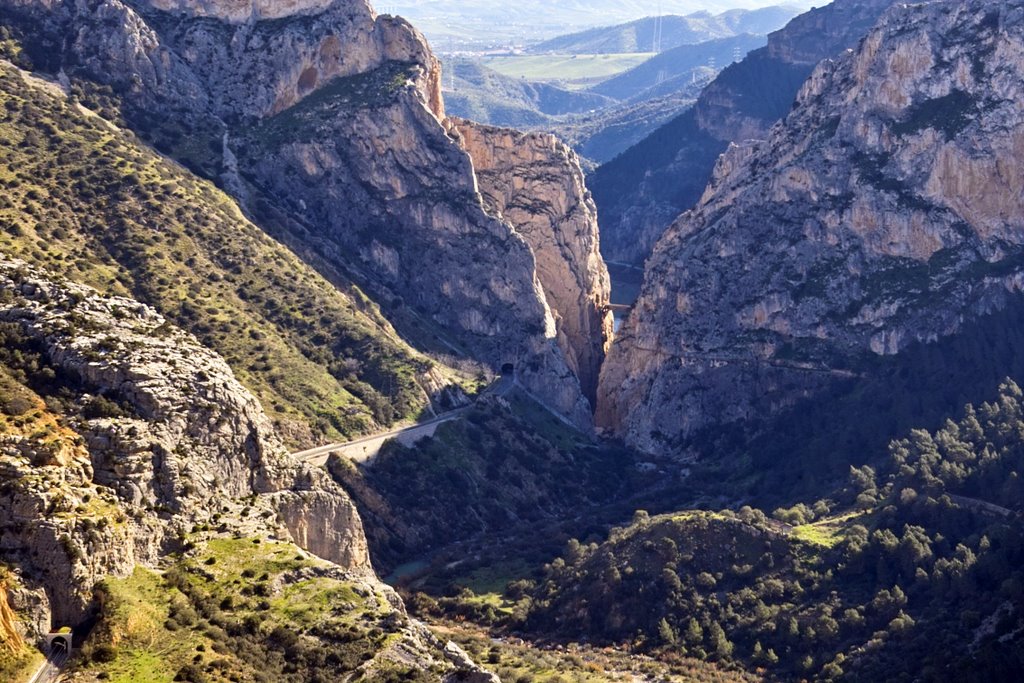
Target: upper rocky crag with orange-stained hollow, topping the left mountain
[(261, 68)]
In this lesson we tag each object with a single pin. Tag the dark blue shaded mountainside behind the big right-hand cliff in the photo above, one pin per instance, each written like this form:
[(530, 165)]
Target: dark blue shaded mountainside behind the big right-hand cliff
[(643, 191)]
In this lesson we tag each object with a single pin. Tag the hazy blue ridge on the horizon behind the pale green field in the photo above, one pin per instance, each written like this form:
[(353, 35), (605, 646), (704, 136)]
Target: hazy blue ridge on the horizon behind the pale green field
[(675, 31)]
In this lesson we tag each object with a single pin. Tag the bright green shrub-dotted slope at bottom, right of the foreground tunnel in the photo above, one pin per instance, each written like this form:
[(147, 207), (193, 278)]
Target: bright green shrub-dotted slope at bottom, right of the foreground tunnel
[(238, 610)]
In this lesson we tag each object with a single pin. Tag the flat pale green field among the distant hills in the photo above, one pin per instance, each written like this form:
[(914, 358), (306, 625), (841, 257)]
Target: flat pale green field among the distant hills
[(568, 68)]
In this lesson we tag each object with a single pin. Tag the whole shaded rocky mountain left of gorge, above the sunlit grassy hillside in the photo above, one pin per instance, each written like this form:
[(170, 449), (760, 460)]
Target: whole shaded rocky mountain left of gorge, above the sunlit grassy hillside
[(305, 153)]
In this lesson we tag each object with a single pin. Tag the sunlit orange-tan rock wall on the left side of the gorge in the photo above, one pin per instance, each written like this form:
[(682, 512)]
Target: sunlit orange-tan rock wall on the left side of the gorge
[(535, 182)]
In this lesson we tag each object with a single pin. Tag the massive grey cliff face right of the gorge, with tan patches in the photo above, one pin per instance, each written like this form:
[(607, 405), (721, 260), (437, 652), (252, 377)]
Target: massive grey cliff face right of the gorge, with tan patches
[(885, 210)]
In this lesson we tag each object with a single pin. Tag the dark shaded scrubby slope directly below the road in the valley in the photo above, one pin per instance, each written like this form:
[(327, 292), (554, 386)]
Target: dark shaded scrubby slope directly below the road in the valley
[(491, 473)]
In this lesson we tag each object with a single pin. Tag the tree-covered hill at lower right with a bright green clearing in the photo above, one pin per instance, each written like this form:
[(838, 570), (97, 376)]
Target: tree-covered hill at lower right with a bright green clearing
[(914, 573)]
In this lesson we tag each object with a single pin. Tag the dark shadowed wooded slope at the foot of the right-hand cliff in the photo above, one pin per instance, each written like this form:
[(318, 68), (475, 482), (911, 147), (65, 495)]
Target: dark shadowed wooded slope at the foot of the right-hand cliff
[(808, 450)]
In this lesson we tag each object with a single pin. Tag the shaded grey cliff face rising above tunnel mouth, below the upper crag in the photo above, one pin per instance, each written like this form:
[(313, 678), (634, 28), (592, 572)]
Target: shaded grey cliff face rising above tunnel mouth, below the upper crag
[(396, 199)]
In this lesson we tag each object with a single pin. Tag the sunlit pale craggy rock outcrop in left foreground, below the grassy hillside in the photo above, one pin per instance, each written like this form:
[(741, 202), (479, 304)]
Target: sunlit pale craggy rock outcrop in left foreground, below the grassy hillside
[(111, 489)]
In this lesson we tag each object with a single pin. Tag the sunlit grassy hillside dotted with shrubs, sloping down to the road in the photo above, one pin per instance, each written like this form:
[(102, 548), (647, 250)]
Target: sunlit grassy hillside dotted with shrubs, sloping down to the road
[(91, 202)]
